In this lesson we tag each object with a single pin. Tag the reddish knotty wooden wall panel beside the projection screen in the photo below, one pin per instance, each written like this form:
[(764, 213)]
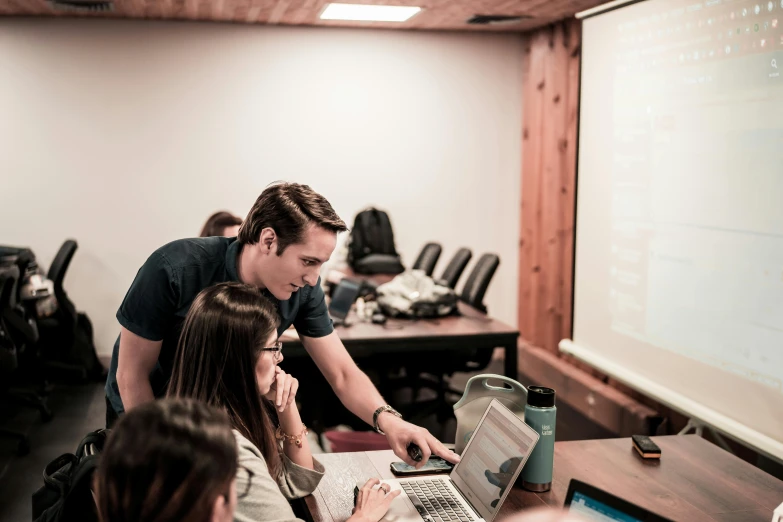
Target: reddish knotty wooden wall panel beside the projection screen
[(550, 108)]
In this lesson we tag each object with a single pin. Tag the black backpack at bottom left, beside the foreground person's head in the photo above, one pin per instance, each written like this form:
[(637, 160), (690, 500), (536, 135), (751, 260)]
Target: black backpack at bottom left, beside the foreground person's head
[(66, 494)]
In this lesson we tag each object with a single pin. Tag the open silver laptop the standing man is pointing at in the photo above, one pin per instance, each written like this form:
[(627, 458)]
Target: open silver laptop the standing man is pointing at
[(477, 486)]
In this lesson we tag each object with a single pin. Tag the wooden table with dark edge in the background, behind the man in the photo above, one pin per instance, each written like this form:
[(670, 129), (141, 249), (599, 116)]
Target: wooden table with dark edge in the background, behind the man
[(470, 330)]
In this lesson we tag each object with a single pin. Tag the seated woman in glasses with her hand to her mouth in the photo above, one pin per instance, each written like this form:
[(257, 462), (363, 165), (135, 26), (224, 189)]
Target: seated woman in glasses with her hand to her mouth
[(227, 357)]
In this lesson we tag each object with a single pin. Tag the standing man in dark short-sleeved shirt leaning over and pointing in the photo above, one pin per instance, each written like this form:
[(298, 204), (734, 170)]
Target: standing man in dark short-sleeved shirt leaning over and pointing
[(290, 232)]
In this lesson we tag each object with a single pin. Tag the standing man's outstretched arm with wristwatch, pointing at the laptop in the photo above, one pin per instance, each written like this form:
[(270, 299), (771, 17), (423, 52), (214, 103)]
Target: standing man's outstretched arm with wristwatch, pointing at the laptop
[(359, 395)]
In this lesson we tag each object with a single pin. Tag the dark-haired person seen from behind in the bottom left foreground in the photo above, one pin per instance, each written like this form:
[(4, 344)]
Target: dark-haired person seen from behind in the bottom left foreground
[(171, 460)]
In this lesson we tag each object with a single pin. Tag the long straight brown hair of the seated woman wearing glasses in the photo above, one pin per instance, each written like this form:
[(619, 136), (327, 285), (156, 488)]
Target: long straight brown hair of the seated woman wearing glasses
[(216, 359)]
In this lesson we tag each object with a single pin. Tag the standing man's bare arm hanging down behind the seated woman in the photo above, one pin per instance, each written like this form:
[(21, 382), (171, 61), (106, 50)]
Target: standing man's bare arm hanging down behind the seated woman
[(137, 358)]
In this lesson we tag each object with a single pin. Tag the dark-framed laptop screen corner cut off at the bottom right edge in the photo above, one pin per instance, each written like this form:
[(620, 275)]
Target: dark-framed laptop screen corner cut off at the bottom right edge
[(595, 504)]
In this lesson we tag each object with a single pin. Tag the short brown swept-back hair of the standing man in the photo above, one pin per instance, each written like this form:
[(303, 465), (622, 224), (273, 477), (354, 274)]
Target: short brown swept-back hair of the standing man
[(288, 209)]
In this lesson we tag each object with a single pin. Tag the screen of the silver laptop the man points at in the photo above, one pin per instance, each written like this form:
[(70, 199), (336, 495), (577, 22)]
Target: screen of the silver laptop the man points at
[(493, 458)]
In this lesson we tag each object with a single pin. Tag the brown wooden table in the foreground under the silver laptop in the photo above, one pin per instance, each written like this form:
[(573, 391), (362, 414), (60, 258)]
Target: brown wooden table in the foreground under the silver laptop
[(694, 481)]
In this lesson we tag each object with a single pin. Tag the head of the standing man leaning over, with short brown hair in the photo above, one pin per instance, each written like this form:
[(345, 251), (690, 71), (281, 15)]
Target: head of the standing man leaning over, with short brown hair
[(290, 232)]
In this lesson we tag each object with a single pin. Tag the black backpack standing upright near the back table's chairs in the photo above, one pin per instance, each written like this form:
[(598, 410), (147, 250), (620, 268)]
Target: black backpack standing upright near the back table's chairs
[(371, 245)]
